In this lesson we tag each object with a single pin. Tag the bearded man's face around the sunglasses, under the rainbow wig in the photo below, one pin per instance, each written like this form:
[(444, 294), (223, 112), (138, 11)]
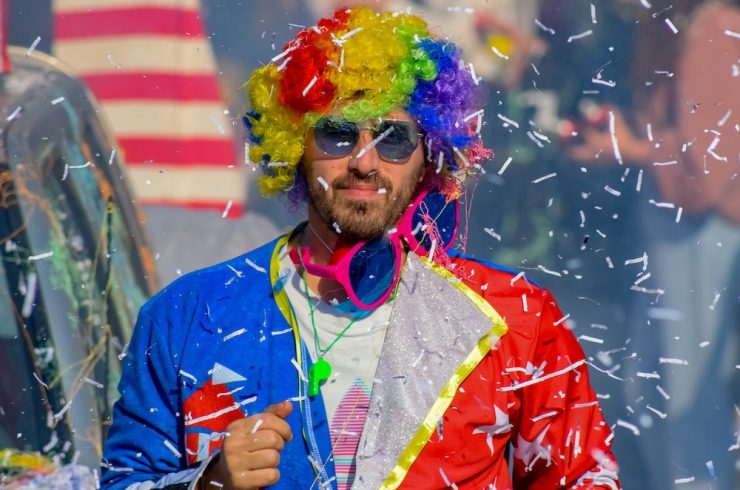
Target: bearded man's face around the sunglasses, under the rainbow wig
[(364, 195)]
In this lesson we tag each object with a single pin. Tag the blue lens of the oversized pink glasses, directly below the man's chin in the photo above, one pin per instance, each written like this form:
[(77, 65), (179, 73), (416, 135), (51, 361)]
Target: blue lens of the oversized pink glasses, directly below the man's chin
[(372, 270)]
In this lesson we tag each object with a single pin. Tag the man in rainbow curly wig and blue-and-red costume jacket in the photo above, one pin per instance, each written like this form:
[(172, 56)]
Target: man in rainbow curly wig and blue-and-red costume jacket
[(359, 350)]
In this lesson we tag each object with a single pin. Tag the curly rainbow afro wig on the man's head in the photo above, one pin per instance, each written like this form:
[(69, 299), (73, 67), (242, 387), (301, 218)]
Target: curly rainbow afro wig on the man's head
[(363, 64)]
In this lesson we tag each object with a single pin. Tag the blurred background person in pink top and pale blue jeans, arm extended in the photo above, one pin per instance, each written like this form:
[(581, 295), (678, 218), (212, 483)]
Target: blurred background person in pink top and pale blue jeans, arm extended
[(681, 134)]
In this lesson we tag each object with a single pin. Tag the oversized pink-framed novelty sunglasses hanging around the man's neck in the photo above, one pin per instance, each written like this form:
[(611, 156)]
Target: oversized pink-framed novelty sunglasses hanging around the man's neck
[(369, 271)]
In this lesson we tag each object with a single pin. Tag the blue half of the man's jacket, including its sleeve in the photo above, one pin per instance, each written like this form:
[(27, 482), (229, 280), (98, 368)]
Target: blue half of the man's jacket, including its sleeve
[(215, 344)]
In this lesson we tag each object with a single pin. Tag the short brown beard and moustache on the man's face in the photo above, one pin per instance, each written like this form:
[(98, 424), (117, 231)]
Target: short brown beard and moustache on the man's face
[(359, 219)]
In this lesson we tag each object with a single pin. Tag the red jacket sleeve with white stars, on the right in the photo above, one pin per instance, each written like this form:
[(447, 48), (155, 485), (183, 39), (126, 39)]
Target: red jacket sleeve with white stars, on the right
[(560, 438)]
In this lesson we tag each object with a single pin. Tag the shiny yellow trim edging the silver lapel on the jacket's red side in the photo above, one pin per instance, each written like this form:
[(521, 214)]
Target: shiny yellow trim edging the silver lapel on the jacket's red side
[(428, 426)]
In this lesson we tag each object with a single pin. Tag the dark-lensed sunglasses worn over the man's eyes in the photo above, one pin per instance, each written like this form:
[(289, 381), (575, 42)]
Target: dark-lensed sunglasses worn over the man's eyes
[(395, 140)]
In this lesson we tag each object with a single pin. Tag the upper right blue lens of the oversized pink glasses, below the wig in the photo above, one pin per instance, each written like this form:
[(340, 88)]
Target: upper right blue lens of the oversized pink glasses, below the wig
[(444, 216)]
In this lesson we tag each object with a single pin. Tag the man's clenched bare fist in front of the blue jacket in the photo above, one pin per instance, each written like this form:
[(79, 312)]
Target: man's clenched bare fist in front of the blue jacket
[(251, 451)]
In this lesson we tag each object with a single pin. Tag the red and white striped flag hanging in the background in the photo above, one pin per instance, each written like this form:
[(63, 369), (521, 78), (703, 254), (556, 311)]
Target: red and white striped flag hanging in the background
[(151, 66)]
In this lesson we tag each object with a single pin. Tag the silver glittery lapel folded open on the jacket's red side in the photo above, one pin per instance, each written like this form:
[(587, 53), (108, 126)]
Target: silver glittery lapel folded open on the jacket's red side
[(432, 330)]
